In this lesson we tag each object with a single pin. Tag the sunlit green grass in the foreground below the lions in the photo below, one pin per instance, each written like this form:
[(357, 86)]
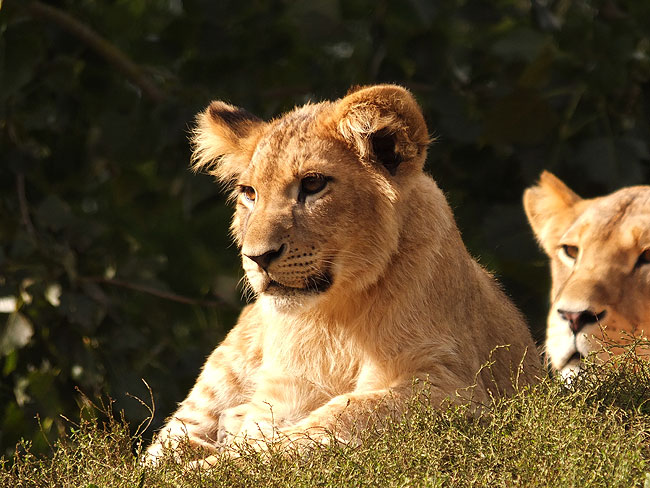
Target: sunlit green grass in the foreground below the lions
[(594, 432)]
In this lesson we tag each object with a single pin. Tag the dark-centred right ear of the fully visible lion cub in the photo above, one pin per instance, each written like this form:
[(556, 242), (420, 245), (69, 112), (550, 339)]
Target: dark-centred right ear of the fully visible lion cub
[(384, 124)]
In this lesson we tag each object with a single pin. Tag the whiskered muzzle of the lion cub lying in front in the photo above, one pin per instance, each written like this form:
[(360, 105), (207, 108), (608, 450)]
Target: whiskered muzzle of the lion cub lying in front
[(288, 270)]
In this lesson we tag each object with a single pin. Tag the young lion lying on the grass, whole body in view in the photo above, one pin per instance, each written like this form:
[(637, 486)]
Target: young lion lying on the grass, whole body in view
[(361, 279)]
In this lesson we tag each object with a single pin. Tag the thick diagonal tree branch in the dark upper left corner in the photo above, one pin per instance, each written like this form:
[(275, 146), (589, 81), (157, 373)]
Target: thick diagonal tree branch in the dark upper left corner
[(104, 48)]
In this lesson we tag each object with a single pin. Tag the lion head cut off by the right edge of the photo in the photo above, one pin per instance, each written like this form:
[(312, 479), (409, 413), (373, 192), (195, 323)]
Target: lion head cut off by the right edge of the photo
[(600, 265)]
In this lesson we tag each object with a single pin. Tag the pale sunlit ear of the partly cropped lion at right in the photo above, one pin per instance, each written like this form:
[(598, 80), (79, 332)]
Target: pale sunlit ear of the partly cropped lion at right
[(550, 208)]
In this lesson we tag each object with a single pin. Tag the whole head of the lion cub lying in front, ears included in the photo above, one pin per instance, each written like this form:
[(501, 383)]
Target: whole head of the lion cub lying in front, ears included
[(318, 190)]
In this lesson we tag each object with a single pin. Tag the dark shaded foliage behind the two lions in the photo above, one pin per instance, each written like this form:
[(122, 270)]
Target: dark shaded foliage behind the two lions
[(115, 263)]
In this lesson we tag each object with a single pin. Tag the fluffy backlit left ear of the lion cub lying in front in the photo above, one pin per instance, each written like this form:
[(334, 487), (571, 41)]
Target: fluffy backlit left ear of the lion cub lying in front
[(224, 139)]
